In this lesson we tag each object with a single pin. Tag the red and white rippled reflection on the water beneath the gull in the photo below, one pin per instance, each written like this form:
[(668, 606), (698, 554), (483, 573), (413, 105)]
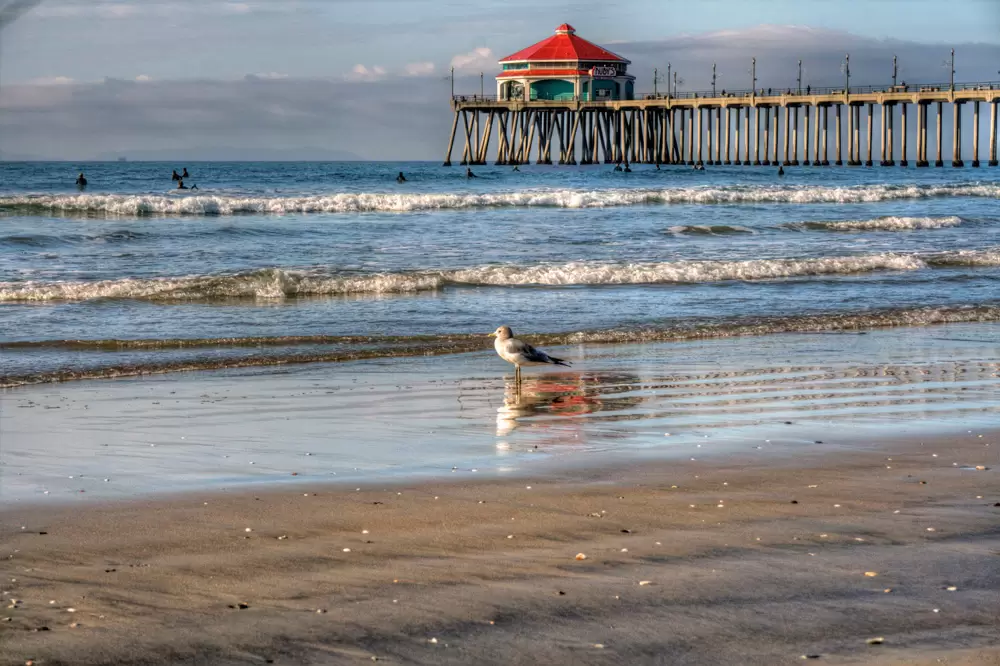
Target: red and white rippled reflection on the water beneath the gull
[(562, 395)]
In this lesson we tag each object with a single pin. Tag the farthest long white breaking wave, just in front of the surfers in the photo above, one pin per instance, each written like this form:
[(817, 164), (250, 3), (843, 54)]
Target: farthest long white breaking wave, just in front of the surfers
[(206, 204)]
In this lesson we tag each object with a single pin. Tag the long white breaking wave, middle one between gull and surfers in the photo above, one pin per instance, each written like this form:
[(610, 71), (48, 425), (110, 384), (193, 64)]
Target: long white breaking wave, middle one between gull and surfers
[(277, 283)]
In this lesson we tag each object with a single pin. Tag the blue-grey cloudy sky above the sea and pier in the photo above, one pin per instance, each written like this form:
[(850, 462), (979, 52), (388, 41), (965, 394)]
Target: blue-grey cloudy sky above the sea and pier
[(314, 79)]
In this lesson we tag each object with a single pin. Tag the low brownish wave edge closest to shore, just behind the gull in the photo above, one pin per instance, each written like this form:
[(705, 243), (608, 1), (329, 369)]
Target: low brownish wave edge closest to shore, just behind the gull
[(281, 350)]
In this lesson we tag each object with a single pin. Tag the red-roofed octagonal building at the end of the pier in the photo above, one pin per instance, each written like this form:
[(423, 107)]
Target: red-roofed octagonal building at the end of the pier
[(565, 67)]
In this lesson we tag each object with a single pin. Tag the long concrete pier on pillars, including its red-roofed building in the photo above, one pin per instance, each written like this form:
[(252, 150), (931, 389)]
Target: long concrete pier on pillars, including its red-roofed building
[(567, 101)]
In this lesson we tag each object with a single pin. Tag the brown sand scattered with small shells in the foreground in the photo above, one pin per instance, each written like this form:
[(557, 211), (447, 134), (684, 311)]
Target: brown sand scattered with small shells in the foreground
[(749, 560)]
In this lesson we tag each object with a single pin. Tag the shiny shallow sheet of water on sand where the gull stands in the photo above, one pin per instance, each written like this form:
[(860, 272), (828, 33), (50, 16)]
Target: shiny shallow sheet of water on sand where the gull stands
[(459, 416)]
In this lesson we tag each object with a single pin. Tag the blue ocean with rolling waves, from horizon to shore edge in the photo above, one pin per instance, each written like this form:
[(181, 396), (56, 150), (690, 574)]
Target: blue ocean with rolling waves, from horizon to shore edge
[(276, 263)]
